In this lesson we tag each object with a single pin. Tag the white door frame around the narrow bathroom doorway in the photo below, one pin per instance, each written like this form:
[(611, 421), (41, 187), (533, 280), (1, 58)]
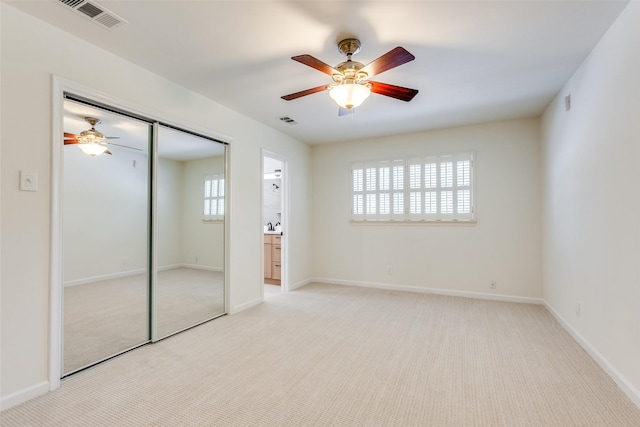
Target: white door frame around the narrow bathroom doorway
[(284, 220)]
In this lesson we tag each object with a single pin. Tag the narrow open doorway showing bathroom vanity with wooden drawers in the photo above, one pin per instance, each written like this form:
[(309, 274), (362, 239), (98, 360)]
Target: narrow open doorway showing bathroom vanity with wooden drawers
[(274, 222)]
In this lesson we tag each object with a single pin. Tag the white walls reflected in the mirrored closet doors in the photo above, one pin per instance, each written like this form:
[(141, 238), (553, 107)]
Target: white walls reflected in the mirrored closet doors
[(105, 204)]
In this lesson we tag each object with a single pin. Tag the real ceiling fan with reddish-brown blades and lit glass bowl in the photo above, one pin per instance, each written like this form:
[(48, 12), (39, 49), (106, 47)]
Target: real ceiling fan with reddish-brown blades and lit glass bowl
[(351, 78)]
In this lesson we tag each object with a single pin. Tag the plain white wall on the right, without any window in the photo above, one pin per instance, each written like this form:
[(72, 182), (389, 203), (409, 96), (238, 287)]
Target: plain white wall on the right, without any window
[(591, 169)]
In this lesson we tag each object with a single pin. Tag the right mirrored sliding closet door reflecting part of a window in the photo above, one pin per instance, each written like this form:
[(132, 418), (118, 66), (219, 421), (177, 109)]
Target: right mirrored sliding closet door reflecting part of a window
[(190, 231)]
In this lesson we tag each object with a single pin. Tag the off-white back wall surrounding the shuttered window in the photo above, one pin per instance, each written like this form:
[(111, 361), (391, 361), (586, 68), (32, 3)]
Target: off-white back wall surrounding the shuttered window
[(503, 246)]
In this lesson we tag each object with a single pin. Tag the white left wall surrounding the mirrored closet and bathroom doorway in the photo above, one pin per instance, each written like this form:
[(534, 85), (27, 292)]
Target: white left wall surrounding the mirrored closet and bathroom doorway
[(31, 52)]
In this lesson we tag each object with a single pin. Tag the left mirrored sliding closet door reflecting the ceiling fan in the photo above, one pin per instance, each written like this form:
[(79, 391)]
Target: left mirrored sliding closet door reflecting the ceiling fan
[(105, 204)]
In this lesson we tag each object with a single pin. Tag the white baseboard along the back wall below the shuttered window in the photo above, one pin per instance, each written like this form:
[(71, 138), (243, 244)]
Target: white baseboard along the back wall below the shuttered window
[(454, 293)]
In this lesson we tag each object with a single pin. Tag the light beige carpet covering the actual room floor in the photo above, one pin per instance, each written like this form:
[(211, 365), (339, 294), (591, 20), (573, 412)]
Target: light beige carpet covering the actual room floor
[(327, 355)]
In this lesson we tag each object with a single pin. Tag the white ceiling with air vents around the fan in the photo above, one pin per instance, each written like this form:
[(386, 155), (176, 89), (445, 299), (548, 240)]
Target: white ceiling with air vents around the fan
[(476, 61)]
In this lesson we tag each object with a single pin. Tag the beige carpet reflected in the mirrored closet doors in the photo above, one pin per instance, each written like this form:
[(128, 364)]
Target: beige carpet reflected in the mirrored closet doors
[(107, 317)]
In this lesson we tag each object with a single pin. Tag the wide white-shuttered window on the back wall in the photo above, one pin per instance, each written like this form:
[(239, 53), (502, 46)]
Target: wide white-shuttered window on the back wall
[(435, 188)]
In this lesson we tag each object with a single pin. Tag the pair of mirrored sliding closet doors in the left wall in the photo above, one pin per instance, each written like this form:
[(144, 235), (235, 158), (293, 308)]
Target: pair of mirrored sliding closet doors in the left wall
[(143, 235)]
